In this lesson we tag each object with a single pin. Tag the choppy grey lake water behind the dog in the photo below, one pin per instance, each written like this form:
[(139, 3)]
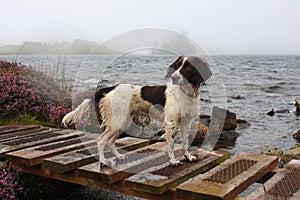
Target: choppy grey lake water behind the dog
[(264, 82)]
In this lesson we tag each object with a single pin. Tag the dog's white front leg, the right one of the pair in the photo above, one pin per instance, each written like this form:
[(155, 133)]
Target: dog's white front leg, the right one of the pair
[(184, 128)]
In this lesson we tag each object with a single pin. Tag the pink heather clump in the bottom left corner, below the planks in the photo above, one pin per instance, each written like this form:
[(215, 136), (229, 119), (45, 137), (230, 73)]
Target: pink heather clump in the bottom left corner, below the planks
[(10, 186)]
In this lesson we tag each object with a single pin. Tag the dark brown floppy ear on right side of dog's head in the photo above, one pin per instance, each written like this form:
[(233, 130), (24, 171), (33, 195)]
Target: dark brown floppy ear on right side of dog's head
[(201, 72)]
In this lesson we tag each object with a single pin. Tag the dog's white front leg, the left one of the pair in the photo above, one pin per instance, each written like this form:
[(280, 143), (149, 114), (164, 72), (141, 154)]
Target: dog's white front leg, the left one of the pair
[(170, 128)]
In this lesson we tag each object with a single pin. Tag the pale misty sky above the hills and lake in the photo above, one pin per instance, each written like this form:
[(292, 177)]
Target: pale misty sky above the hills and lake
[(220, 26)]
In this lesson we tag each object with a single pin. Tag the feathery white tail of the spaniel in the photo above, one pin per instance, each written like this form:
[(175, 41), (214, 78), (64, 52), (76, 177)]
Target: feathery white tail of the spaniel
[(84, 109)]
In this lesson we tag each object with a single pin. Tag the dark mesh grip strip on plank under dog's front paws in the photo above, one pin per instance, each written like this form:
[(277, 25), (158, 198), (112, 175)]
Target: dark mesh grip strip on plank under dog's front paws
[(170, 170)]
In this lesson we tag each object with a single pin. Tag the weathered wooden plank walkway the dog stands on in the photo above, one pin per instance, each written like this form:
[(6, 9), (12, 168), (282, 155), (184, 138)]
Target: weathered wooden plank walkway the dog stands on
[(71, 156)]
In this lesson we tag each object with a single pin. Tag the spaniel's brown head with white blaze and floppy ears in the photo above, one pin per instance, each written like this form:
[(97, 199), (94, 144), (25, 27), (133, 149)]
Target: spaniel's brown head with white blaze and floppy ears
[(191, 69)]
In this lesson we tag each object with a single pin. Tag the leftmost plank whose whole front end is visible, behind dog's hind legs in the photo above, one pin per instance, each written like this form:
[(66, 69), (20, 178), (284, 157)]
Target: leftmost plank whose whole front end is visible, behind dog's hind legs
[(34, 155)]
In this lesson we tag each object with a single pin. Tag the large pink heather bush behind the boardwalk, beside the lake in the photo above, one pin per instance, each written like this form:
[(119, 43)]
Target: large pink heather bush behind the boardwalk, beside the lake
[(24, 90)]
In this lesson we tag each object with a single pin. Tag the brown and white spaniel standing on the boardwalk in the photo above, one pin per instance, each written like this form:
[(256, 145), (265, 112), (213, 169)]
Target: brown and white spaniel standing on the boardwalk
[(176, 105)]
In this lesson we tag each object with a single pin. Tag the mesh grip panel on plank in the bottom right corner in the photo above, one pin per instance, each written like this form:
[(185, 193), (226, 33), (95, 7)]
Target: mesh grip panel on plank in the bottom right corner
[(288, 185)]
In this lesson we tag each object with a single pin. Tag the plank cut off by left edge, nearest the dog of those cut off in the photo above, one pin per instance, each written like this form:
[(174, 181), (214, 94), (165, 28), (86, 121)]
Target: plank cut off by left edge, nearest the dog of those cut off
[(35, 140)]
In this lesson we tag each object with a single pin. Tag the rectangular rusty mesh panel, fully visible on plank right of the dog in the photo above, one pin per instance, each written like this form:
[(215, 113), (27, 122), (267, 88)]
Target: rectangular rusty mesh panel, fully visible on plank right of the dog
[(231, 171)]
